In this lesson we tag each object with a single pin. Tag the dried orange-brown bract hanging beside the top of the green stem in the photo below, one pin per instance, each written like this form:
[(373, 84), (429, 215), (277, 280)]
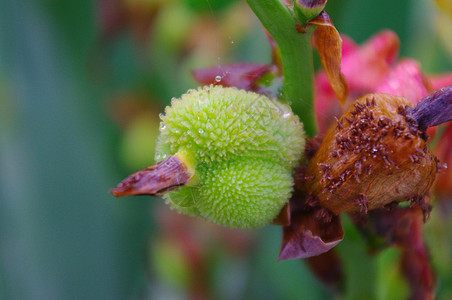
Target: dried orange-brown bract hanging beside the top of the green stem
[(329, 45)]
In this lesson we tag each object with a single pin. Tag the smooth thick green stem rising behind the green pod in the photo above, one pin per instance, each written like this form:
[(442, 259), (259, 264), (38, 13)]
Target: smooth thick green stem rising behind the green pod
[(296, 55)]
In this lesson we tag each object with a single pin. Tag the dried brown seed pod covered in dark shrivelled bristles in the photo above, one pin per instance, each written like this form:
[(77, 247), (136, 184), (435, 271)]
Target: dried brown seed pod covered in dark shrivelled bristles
[(375, 157)]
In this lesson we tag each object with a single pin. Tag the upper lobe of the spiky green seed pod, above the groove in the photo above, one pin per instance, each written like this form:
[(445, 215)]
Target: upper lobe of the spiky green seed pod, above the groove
[(216, 123)]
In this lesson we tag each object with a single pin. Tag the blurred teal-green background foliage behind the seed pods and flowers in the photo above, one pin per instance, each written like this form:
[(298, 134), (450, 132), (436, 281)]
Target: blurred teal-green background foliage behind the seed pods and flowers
[(81, 86)]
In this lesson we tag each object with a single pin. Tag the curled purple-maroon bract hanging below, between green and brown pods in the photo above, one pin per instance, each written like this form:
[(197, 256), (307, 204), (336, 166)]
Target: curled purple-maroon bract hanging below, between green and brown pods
[(313, 230)]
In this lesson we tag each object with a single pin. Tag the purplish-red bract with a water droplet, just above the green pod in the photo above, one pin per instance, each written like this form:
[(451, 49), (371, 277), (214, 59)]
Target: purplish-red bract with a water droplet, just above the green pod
[(239, 75)]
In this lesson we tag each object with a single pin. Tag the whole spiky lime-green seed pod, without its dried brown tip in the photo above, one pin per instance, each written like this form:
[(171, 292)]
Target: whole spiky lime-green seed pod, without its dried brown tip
[(242, 146)]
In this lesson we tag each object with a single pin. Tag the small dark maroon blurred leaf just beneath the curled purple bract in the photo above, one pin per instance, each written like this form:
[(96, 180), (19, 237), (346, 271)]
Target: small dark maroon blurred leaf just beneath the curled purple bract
[(328, 268)]
